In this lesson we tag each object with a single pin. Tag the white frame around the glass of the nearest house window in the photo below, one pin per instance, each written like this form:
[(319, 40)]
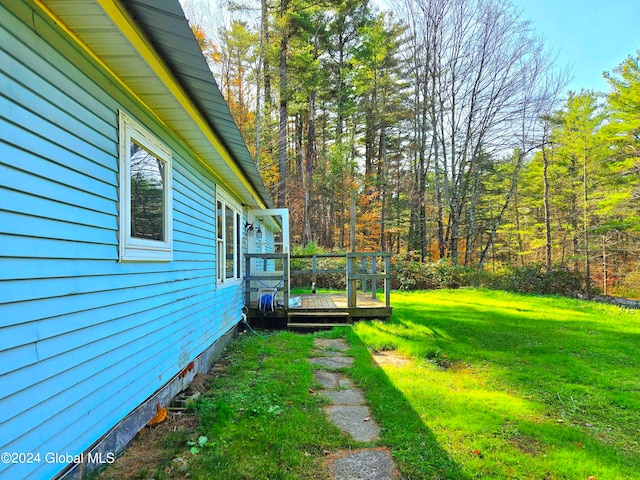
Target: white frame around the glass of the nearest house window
[(134, 249)]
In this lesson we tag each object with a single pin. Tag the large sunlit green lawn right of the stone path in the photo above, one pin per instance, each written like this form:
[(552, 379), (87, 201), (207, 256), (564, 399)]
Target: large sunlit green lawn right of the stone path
[(506, 386)]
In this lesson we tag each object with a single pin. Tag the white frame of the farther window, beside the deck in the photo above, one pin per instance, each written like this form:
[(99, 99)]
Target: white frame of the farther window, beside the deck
[(221, 241)]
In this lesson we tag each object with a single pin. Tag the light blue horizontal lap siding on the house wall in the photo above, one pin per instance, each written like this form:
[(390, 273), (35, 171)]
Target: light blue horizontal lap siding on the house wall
[(85, 339)]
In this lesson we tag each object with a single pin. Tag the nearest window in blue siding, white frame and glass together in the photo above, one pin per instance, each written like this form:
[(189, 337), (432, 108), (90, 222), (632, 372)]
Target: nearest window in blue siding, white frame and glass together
[(145, 214)]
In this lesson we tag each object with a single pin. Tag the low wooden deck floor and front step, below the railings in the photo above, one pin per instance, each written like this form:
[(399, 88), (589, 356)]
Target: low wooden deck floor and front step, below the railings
[(321, 311)]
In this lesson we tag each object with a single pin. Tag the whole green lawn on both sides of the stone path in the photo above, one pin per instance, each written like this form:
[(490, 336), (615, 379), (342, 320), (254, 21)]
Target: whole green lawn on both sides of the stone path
[(497, 386)]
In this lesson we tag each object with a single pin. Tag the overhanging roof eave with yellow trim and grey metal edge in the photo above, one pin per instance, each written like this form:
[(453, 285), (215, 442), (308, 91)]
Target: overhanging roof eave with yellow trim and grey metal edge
[(151, 51)]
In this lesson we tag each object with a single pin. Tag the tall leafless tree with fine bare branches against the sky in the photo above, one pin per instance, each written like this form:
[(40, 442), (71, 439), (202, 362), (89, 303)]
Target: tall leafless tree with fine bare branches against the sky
[(487, 81)]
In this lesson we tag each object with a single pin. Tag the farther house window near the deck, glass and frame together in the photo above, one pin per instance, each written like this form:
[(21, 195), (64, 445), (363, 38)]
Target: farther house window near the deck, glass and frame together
[(229, 238)]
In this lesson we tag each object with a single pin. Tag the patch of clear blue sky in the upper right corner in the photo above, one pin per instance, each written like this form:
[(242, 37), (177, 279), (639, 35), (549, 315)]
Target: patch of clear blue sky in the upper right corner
[(589, 35)]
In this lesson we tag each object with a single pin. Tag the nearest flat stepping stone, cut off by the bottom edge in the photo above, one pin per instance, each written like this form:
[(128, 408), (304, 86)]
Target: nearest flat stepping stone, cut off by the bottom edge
[(368, 464)]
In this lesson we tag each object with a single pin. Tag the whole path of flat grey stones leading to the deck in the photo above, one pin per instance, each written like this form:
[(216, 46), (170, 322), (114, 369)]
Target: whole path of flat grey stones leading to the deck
[(350, 413)]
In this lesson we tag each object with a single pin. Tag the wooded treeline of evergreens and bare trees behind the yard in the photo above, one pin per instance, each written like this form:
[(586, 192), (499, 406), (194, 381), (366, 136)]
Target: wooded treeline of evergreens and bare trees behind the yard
[(441, 124)]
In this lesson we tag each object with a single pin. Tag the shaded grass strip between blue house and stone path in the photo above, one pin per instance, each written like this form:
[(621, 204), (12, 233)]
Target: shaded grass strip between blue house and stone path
[(260, 416)]
